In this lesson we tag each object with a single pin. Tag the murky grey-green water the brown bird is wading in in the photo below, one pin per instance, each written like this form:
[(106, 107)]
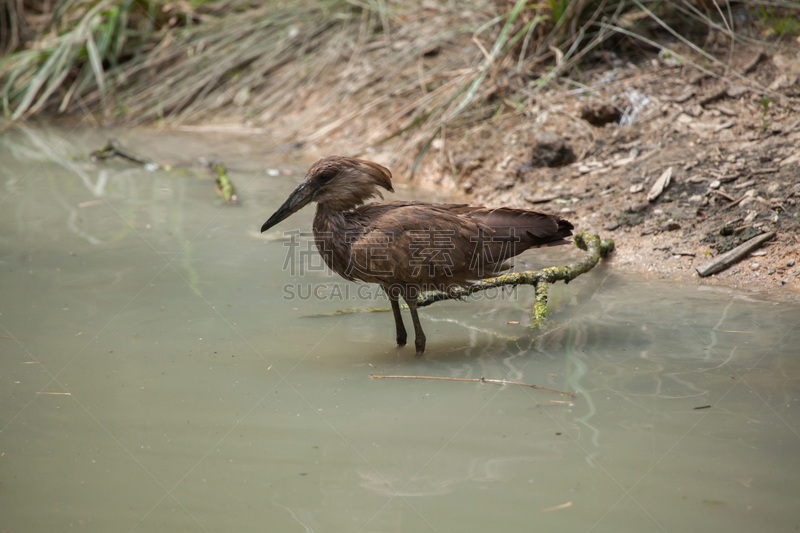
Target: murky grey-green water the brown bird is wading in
[(156, 374)]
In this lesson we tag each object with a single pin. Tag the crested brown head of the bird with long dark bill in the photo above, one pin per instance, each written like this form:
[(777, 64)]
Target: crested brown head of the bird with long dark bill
[(338, 183)]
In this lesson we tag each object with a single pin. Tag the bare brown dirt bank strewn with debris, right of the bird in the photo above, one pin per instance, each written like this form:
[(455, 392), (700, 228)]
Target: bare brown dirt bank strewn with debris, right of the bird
[(732, 154)]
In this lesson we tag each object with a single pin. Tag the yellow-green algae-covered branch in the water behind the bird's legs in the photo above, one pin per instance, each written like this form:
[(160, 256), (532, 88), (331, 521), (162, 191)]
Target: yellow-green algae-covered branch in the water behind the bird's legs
[(540, 279)]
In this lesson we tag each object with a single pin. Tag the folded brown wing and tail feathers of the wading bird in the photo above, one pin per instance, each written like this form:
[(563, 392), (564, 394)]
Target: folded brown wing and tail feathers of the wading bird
[(449, 243)]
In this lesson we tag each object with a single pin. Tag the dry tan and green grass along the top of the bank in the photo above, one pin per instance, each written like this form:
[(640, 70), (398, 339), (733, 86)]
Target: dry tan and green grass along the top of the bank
[(434, 68)]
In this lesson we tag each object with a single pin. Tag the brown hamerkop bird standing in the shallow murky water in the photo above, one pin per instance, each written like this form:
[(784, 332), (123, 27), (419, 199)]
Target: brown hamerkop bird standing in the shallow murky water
[(409, 247)]
